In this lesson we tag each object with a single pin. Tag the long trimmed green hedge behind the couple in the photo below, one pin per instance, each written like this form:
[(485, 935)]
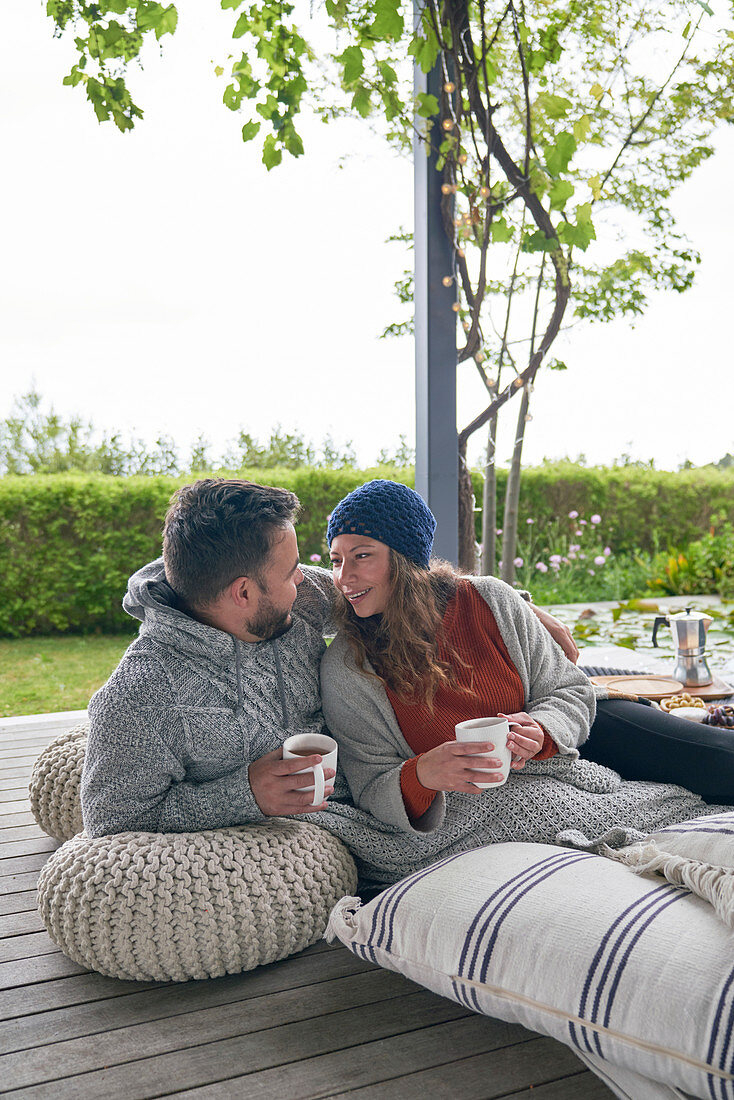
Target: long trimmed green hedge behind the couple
[(70, 542)]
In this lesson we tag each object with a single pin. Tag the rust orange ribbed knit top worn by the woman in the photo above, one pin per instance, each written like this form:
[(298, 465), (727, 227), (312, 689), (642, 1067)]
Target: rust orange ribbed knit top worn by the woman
[(472, 631)]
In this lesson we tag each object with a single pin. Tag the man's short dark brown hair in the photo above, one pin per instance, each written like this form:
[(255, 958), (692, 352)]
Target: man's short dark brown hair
[(218, 530)]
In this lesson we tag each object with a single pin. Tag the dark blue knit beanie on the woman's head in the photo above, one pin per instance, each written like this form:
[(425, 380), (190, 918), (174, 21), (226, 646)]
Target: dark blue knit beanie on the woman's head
[(390, 513)]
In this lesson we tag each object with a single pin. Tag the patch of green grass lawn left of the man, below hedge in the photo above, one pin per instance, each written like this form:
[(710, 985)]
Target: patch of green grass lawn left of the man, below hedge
[(39, 676)]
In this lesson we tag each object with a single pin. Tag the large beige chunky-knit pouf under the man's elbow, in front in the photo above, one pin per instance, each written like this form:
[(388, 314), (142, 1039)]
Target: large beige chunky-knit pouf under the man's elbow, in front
[(169, 907)]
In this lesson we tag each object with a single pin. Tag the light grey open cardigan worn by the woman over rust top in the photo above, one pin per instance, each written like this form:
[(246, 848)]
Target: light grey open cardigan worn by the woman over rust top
[(373, 749)]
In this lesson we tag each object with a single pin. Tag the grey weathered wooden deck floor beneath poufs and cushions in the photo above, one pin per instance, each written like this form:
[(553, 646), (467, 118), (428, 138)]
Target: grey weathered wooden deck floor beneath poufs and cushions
[(320, 1025)]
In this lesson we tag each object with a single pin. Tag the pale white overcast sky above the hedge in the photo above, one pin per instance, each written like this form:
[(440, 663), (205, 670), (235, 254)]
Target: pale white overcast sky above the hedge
[(163, 281)]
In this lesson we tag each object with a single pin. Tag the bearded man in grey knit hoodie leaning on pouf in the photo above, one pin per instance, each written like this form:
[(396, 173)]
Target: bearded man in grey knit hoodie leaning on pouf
[(188, 733)]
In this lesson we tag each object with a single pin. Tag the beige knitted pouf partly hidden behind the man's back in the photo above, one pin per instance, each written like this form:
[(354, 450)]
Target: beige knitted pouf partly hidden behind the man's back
[(56, 783)]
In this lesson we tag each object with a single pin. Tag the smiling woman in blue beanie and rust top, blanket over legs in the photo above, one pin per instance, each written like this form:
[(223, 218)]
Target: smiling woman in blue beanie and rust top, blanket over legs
[(420, 650)]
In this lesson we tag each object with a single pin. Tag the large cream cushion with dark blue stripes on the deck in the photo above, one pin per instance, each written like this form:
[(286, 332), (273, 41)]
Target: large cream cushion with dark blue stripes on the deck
[(634, 974)]
